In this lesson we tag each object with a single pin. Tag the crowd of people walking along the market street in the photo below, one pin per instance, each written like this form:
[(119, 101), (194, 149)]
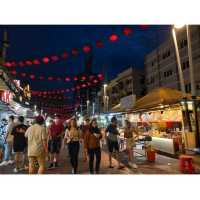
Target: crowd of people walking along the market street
[(32, 147)]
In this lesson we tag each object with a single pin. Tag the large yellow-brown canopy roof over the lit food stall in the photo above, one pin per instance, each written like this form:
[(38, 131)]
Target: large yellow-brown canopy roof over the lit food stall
[(160, 96)]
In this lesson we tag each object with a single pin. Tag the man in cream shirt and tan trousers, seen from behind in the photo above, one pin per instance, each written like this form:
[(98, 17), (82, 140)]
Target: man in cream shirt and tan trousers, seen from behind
[(37, 146)]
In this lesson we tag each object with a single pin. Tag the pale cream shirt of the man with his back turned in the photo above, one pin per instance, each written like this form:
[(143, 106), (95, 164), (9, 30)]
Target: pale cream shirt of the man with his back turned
[(36, 134)]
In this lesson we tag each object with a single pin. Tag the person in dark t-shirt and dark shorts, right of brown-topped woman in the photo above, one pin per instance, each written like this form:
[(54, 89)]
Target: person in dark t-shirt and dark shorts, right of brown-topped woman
[(112, 142)]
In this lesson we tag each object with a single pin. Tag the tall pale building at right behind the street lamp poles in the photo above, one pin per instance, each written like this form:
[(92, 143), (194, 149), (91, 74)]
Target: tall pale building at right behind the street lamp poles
[(161, 65)]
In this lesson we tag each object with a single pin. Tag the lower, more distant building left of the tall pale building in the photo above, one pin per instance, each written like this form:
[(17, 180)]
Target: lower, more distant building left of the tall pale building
[(131, 81)]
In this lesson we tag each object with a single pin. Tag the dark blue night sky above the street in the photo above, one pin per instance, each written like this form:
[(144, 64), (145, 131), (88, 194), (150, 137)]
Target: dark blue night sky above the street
[(29, 42)]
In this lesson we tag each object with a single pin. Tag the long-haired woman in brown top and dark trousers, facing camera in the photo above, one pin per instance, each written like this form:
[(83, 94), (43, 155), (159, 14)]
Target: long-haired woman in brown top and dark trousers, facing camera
[(92, 143)]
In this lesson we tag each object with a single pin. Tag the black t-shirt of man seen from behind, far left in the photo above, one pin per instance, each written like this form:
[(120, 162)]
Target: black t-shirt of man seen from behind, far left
[(19, 140)]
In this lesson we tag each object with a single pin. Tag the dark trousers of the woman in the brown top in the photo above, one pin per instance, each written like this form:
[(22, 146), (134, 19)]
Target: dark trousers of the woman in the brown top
[(92, 153)]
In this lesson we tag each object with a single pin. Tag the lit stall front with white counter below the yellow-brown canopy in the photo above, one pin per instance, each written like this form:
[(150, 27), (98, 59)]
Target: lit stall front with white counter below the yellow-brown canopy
[(164, 126)]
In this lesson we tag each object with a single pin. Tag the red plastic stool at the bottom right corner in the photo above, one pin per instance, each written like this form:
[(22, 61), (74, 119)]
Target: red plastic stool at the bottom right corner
[(186, 164)]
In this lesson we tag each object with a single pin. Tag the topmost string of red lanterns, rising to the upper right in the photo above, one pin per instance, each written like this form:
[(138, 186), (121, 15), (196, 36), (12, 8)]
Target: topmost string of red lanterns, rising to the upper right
[(127, 31)]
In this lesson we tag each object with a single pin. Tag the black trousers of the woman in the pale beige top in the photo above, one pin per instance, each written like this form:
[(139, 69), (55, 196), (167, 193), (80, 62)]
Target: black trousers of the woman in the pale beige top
[(73, 148)]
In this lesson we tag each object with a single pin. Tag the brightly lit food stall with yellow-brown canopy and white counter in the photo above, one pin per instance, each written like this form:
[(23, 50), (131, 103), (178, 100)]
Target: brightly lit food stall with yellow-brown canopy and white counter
[(159, 114)]
